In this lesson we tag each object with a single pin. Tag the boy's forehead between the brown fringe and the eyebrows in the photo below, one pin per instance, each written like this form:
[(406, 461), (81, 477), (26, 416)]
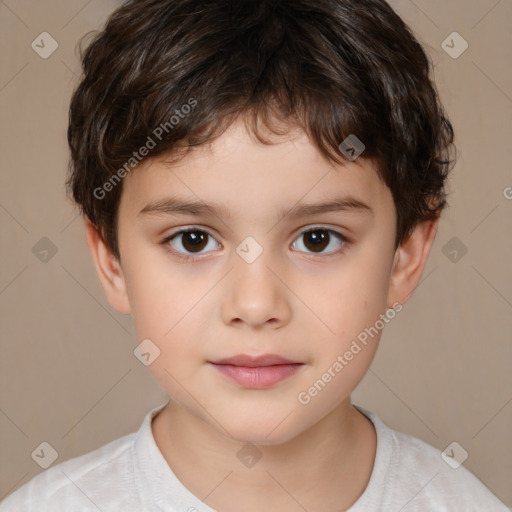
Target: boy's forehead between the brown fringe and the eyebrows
[(244, 174)]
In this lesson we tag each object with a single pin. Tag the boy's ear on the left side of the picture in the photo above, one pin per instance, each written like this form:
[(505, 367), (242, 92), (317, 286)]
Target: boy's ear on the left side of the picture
[(108, 268)]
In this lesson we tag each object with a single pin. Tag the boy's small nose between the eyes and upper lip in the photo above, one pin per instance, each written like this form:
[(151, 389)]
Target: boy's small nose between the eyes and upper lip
[(256, 294)]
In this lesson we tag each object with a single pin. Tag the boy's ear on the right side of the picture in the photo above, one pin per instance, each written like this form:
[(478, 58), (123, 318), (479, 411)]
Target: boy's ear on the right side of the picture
[(409, 262)]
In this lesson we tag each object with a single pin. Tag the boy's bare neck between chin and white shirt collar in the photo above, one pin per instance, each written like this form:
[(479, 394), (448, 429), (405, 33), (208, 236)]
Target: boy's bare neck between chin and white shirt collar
[(326, 467)]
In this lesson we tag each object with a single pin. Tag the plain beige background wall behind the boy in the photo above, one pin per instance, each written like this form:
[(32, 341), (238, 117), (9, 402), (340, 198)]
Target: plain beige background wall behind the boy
[(68, 373)]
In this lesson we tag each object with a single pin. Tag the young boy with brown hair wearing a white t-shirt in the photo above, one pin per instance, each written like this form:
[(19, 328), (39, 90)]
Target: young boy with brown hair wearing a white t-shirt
[(261, 183)]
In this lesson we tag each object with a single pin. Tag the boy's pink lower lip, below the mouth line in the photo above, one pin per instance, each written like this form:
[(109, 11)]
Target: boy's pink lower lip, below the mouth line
[(258, 377)]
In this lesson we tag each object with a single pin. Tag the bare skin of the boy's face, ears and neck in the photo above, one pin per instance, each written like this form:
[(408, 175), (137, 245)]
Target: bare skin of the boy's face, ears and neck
[(303, 305)]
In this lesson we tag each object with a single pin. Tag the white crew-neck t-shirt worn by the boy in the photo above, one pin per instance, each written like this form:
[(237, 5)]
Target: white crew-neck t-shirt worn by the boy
[(130, 474)]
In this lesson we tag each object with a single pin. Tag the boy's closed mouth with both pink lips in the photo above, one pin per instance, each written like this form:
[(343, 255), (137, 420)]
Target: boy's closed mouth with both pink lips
[(256, 372)]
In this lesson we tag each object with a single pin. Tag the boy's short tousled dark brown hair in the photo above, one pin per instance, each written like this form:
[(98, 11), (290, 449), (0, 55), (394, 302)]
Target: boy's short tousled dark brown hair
[(331, 67)]
